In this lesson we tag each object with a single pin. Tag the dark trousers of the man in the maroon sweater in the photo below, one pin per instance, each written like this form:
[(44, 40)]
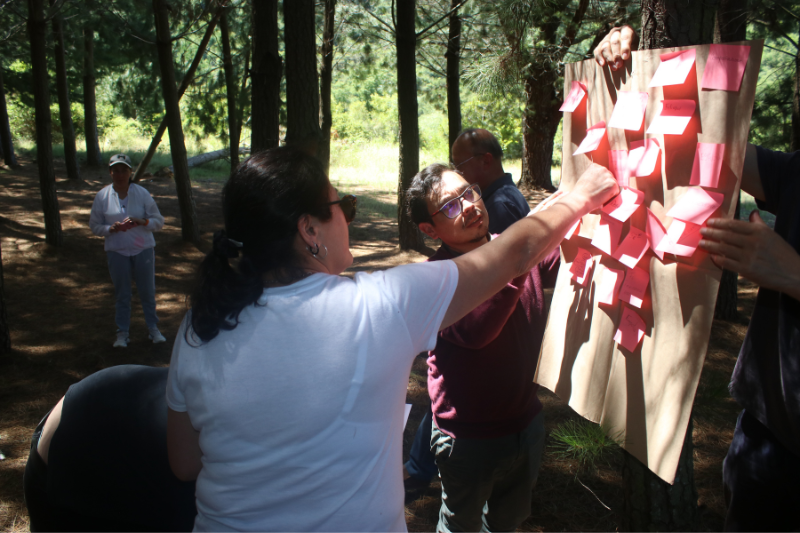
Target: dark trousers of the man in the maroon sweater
[(487, 483)]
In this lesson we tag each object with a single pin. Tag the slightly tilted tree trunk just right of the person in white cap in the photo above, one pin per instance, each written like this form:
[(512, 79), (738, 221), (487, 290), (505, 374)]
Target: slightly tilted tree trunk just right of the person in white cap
[(189, 228)]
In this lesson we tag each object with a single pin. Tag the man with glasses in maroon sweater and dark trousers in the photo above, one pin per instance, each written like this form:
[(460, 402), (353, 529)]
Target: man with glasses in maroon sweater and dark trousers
[(480, 376)]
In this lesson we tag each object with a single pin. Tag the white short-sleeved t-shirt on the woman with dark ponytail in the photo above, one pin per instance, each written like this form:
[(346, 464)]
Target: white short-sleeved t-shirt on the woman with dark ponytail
[(300, 407)]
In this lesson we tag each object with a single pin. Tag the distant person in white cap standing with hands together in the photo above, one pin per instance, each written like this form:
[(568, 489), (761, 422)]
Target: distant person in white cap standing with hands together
[(126, 215)]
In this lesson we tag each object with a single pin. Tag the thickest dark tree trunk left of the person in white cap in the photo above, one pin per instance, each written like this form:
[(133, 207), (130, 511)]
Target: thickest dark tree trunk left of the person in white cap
[(37, 33)]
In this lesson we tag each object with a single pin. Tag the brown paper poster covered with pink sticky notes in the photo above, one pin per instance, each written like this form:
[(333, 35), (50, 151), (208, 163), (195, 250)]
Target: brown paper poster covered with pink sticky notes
[(643, 396)]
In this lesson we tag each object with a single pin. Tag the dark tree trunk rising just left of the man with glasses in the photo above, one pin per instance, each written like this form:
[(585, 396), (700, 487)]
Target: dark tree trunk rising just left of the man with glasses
[(406, 43)]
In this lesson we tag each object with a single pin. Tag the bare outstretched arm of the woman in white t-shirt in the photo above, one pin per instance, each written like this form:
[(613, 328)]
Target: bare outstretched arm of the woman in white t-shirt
[(485, 270)]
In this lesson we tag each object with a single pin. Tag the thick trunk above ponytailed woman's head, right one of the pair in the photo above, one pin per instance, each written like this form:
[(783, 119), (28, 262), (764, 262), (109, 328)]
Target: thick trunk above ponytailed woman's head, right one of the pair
[(302, 83)]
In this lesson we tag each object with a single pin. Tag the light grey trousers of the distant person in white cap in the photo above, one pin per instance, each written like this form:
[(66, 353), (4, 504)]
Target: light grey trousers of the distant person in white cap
[(141, 268)]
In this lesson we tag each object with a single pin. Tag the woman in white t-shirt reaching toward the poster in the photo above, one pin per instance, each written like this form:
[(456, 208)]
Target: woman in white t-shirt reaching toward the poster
[(287, 380)]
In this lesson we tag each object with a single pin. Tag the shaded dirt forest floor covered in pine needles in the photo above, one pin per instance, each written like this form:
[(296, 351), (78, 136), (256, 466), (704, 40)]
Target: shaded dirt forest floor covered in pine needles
[(60, 309)]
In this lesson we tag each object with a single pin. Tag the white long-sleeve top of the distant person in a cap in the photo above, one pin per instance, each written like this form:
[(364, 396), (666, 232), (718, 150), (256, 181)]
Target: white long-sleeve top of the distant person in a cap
[(106, 210)]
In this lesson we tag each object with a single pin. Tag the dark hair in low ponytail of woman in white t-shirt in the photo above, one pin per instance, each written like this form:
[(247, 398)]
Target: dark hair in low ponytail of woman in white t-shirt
[(262, 202)]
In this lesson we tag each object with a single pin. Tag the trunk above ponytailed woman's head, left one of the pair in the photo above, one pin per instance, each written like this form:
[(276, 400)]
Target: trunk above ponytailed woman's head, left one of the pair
[(266, 77)]
